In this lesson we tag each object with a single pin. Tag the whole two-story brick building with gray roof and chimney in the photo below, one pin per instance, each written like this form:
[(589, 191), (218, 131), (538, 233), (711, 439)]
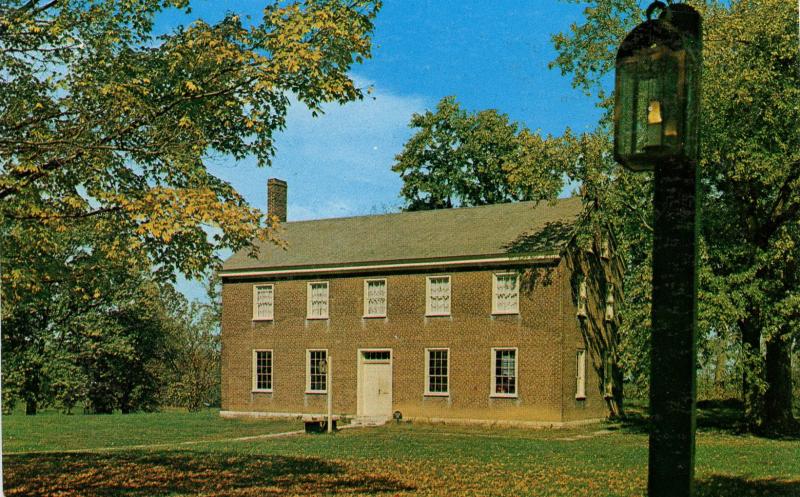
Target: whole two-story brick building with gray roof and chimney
[(470, 314)]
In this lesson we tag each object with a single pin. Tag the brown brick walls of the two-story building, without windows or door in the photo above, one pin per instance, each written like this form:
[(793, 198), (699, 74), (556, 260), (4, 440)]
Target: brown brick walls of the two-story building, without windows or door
[(544, 332)]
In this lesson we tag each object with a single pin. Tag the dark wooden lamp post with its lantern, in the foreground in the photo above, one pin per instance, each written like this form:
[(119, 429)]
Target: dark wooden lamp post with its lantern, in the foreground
[(656, 118)]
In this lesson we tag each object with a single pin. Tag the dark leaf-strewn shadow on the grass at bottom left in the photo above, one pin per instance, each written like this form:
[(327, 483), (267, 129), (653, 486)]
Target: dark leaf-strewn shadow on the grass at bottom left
[(144, 474)]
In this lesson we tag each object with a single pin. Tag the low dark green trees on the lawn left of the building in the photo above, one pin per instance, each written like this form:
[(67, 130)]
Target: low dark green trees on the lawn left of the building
[(108, 346)]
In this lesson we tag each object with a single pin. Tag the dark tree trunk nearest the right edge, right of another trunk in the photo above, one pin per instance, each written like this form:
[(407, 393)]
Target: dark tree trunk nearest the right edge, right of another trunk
[(778, 417)]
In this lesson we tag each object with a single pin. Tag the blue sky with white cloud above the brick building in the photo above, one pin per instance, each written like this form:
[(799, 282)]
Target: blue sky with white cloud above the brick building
[(489, 54)]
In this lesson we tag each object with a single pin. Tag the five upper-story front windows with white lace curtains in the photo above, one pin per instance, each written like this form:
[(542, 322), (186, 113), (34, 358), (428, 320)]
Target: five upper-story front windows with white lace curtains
[(505, 297)]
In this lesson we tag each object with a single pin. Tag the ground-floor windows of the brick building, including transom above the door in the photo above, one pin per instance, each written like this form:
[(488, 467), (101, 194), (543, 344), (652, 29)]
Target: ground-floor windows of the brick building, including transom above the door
[(504, 369)]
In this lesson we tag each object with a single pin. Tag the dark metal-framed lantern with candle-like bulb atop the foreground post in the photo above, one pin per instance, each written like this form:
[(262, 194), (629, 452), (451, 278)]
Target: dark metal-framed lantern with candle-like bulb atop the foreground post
[(657, 89)]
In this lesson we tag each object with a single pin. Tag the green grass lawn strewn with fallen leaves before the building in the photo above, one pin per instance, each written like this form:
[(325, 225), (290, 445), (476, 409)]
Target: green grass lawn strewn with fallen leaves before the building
[(404, 460)]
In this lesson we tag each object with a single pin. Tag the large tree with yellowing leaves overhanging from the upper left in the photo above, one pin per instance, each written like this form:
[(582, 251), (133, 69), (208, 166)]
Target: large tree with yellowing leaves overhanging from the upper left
[(105, 130)]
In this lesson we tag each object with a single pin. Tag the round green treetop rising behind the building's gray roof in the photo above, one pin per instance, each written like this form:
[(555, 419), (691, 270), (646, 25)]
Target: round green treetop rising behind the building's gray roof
[(457, 158)]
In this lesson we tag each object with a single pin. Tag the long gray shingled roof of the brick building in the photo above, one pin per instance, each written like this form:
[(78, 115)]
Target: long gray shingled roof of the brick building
[(491, 230)]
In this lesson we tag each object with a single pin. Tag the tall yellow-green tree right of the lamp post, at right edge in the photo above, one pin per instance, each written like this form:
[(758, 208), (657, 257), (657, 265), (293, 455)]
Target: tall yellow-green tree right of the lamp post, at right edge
[(752, 160)]
